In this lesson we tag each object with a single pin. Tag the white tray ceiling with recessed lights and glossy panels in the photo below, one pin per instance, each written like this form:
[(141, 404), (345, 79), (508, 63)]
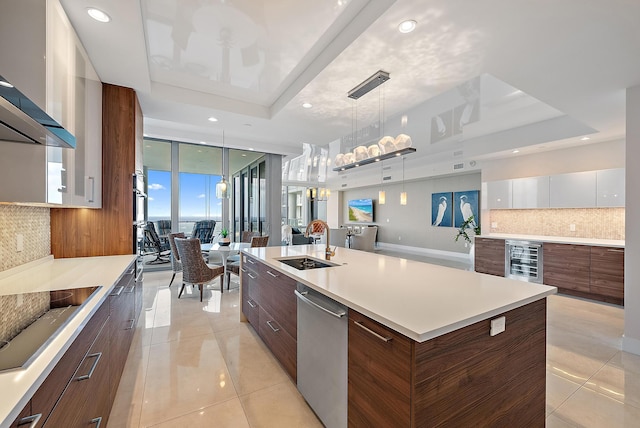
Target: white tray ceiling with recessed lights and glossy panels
[(573, 59)]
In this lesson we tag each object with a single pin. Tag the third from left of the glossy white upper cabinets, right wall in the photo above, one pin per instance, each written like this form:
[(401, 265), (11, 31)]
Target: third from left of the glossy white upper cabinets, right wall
[(574, 190)]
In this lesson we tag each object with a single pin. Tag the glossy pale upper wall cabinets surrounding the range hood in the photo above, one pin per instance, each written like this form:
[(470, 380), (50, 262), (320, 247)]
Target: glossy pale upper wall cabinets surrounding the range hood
[(52, 68)]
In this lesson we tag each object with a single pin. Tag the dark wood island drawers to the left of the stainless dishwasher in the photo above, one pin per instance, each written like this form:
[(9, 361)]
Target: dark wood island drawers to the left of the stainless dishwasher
[(269, 303)]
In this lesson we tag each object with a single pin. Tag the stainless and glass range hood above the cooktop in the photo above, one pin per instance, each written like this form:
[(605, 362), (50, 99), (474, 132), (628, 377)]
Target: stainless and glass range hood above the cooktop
[(22, 121)]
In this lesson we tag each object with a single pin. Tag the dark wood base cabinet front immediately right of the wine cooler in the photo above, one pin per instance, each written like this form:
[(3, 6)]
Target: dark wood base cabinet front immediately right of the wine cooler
[(567, 266)]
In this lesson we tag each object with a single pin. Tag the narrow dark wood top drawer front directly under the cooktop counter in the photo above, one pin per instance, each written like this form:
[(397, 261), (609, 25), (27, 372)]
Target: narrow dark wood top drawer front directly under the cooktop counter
[(52, 388)]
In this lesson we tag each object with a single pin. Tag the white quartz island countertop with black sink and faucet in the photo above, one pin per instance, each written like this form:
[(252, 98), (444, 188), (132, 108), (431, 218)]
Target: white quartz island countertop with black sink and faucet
[(419, 300)]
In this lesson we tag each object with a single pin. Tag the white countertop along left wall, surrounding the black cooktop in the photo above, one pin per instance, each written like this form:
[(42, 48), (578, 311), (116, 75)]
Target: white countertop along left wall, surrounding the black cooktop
[(17, 386)]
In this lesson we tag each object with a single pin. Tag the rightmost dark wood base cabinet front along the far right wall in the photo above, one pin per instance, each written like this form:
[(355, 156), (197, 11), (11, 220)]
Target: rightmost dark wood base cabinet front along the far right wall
[(607, 271)]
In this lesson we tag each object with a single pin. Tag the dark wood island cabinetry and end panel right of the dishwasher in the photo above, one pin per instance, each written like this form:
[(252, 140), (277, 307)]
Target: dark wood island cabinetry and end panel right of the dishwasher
[(463, 378)]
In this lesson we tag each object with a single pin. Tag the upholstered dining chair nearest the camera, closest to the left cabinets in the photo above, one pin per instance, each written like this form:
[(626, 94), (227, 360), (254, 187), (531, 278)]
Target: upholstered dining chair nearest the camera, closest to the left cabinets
[(194, 270)]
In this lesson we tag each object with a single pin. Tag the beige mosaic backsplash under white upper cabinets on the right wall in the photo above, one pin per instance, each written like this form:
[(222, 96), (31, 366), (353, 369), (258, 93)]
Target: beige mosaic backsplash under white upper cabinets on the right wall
[(597, 223)]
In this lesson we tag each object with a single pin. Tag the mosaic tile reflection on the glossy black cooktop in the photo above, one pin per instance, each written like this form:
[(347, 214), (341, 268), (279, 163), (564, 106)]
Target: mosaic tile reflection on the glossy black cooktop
[(18, 311)]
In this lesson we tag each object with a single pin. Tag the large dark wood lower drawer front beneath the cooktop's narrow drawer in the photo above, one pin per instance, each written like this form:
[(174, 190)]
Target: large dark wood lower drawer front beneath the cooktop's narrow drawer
[(86, 401)]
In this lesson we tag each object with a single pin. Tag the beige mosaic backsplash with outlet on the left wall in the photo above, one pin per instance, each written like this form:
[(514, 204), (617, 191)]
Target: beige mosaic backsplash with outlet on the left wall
[(33, 223)]
